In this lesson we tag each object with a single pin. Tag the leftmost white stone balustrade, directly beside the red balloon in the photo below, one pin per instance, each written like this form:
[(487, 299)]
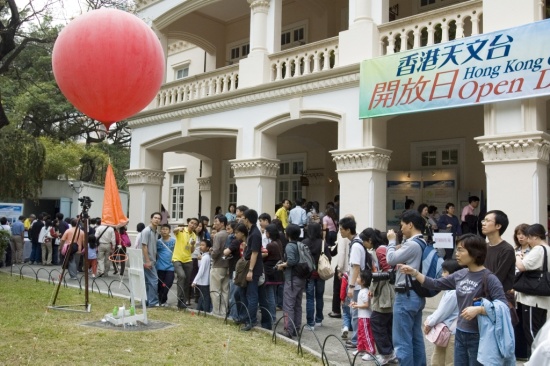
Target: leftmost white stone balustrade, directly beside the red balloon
[(215, 82)]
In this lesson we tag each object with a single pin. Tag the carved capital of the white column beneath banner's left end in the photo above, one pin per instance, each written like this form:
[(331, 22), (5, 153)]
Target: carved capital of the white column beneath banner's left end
[(370, 158)]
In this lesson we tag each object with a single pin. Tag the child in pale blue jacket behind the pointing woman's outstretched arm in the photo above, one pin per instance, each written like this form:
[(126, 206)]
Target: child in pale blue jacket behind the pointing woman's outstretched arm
[(447, 312)]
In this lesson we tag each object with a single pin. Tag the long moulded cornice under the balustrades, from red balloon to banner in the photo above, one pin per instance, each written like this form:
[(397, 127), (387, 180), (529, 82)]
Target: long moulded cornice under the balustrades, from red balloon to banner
[(336, 79)]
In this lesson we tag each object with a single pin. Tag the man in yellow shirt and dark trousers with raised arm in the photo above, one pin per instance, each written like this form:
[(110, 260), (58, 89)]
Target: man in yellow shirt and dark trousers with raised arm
[(183, 264)]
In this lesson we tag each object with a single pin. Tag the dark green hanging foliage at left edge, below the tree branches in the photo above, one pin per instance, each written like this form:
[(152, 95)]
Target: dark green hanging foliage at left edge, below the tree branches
[(22, 159)]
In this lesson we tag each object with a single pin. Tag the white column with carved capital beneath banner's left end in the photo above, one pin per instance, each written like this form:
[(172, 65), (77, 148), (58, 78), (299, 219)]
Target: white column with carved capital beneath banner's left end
[(362, 177)]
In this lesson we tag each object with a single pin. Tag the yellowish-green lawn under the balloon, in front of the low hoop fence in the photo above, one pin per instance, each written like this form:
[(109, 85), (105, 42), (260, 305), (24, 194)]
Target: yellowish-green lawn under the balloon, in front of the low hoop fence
[(34, 335)]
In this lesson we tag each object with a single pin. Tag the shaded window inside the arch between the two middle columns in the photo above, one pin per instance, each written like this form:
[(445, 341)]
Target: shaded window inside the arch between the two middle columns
[(291, 168)]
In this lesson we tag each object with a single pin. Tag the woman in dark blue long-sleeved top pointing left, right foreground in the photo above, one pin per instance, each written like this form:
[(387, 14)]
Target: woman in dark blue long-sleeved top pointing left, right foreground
[(469, 285)]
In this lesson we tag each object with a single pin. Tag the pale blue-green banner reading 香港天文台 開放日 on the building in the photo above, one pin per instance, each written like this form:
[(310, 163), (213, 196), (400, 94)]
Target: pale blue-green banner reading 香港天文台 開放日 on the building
[(508, 64)]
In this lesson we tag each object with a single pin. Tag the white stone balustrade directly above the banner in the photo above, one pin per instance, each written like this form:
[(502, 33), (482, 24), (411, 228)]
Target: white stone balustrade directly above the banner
[(438, 26)]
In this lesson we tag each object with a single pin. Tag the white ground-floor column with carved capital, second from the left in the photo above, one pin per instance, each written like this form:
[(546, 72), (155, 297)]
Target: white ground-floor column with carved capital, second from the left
[(256, 180)]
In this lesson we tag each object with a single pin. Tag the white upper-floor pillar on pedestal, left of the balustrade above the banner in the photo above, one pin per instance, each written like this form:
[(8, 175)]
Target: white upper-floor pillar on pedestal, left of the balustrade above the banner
[(361, 41)]
